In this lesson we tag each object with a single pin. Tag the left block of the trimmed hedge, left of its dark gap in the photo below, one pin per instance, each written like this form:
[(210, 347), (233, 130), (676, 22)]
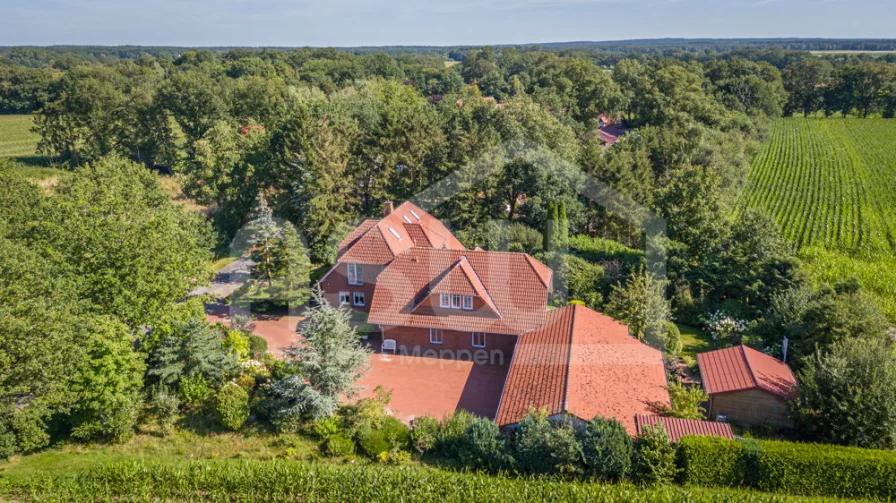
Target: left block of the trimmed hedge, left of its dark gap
[(711, 461)]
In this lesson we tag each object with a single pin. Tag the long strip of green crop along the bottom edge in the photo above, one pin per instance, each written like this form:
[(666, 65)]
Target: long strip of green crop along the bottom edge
[(276, 481)]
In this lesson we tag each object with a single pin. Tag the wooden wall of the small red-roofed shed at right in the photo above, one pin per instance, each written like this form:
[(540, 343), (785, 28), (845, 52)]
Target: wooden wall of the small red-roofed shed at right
[(750, 407)]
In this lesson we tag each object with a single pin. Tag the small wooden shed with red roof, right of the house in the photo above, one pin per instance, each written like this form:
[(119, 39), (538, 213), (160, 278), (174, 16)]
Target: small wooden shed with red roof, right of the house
[(747, 386)]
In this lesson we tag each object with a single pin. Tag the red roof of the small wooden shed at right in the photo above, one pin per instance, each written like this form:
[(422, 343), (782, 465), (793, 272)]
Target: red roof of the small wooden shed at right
[(741, 368)]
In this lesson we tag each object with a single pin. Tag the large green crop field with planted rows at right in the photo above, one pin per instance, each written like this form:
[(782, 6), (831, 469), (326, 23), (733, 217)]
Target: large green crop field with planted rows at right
[(830, 184)]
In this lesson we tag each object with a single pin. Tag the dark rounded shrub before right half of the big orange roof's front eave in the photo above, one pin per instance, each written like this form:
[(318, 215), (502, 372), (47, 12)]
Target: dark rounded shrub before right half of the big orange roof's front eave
[(607, 449)]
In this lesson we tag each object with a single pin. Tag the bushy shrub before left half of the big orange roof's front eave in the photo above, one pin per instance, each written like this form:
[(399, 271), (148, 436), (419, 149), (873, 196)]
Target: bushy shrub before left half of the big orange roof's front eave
[(542, 447)]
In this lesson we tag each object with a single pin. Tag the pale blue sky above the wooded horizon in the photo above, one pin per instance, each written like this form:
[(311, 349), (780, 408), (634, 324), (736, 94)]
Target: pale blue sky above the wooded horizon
[(422, 22)]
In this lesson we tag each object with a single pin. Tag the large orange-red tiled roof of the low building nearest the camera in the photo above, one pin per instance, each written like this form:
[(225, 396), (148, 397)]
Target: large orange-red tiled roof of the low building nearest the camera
[(585, 364)]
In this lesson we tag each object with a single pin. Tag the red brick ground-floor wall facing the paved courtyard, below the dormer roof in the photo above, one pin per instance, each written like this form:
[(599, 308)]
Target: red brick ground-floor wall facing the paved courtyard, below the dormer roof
[(455, 345)]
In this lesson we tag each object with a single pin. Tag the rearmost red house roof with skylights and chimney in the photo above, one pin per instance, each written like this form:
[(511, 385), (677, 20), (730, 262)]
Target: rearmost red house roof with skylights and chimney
[(407, 226)]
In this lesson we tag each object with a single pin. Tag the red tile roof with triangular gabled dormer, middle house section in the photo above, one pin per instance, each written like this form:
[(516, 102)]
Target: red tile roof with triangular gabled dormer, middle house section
[(508, 279)]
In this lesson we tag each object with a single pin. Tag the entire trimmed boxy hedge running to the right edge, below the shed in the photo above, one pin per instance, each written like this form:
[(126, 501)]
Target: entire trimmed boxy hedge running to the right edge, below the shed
[(807, 469)]
